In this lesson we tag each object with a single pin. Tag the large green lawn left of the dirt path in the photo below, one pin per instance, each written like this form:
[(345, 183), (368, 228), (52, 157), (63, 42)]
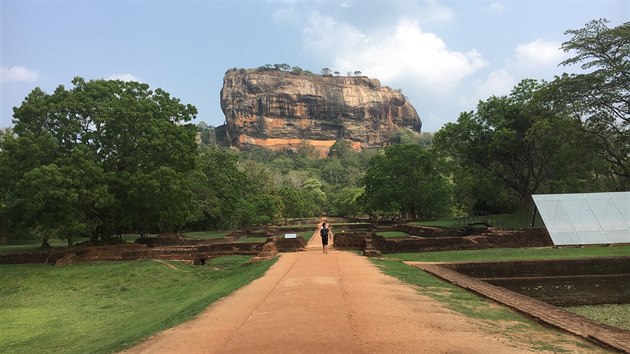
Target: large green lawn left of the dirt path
[(105, 307)]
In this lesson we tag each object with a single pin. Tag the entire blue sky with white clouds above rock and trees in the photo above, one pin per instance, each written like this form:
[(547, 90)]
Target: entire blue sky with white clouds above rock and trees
[(445, 56)]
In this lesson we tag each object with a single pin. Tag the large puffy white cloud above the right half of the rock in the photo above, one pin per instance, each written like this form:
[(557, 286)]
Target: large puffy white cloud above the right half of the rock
[(405, 55)]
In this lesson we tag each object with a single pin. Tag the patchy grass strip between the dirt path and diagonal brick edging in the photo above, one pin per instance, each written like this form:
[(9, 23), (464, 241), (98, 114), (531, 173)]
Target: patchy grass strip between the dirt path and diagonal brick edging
[(496, 318)]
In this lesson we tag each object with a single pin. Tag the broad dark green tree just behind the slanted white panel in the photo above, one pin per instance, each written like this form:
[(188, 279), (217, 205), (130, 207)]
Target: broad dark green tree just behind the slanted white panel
[(516, 140)]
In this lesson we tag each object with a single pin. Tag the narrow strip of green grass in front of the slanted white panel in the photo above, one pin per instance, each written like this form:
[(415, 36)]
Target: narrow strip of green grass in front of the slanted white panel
[(500, 254)]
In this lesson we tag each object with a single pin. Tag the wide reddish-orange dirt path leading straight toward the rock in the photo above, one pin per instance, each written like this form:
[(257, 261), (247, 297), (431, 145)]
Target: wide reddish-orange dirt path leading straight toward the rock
[(310, 302)]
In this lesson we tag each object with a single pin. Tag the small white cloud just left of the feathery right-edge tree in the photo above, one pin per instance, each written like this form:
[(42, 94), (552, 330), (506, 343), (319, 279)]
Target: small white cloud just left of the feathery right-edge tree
[(537, 54)]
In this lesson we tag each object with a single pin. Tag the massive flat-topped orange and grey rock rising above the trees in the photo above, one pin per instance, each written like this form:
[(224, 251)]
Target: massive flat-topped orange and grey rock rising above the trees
[(280, 110)]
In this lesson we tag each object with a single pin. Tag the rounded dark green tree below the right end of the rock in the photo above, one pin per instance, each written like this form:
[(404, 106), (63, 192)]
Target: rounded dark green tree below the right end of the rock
[(407, 179)]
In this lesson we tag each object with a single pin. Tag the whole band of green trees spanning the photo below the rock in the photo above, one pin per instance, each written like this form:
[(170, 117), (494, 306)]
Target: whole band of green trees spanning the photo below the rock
[(106, 157)]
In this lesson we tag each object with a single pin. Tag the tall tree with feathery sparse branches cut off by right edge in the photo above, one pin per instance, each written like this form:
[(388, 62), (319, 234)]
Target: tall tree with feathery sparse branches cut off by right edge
[(601, 95)]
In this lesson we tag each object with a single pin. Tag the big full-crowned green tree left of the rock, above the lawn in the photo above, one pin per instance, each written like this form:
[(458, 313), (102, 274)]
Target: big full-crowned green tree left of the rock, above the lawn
[(112, 140)]
